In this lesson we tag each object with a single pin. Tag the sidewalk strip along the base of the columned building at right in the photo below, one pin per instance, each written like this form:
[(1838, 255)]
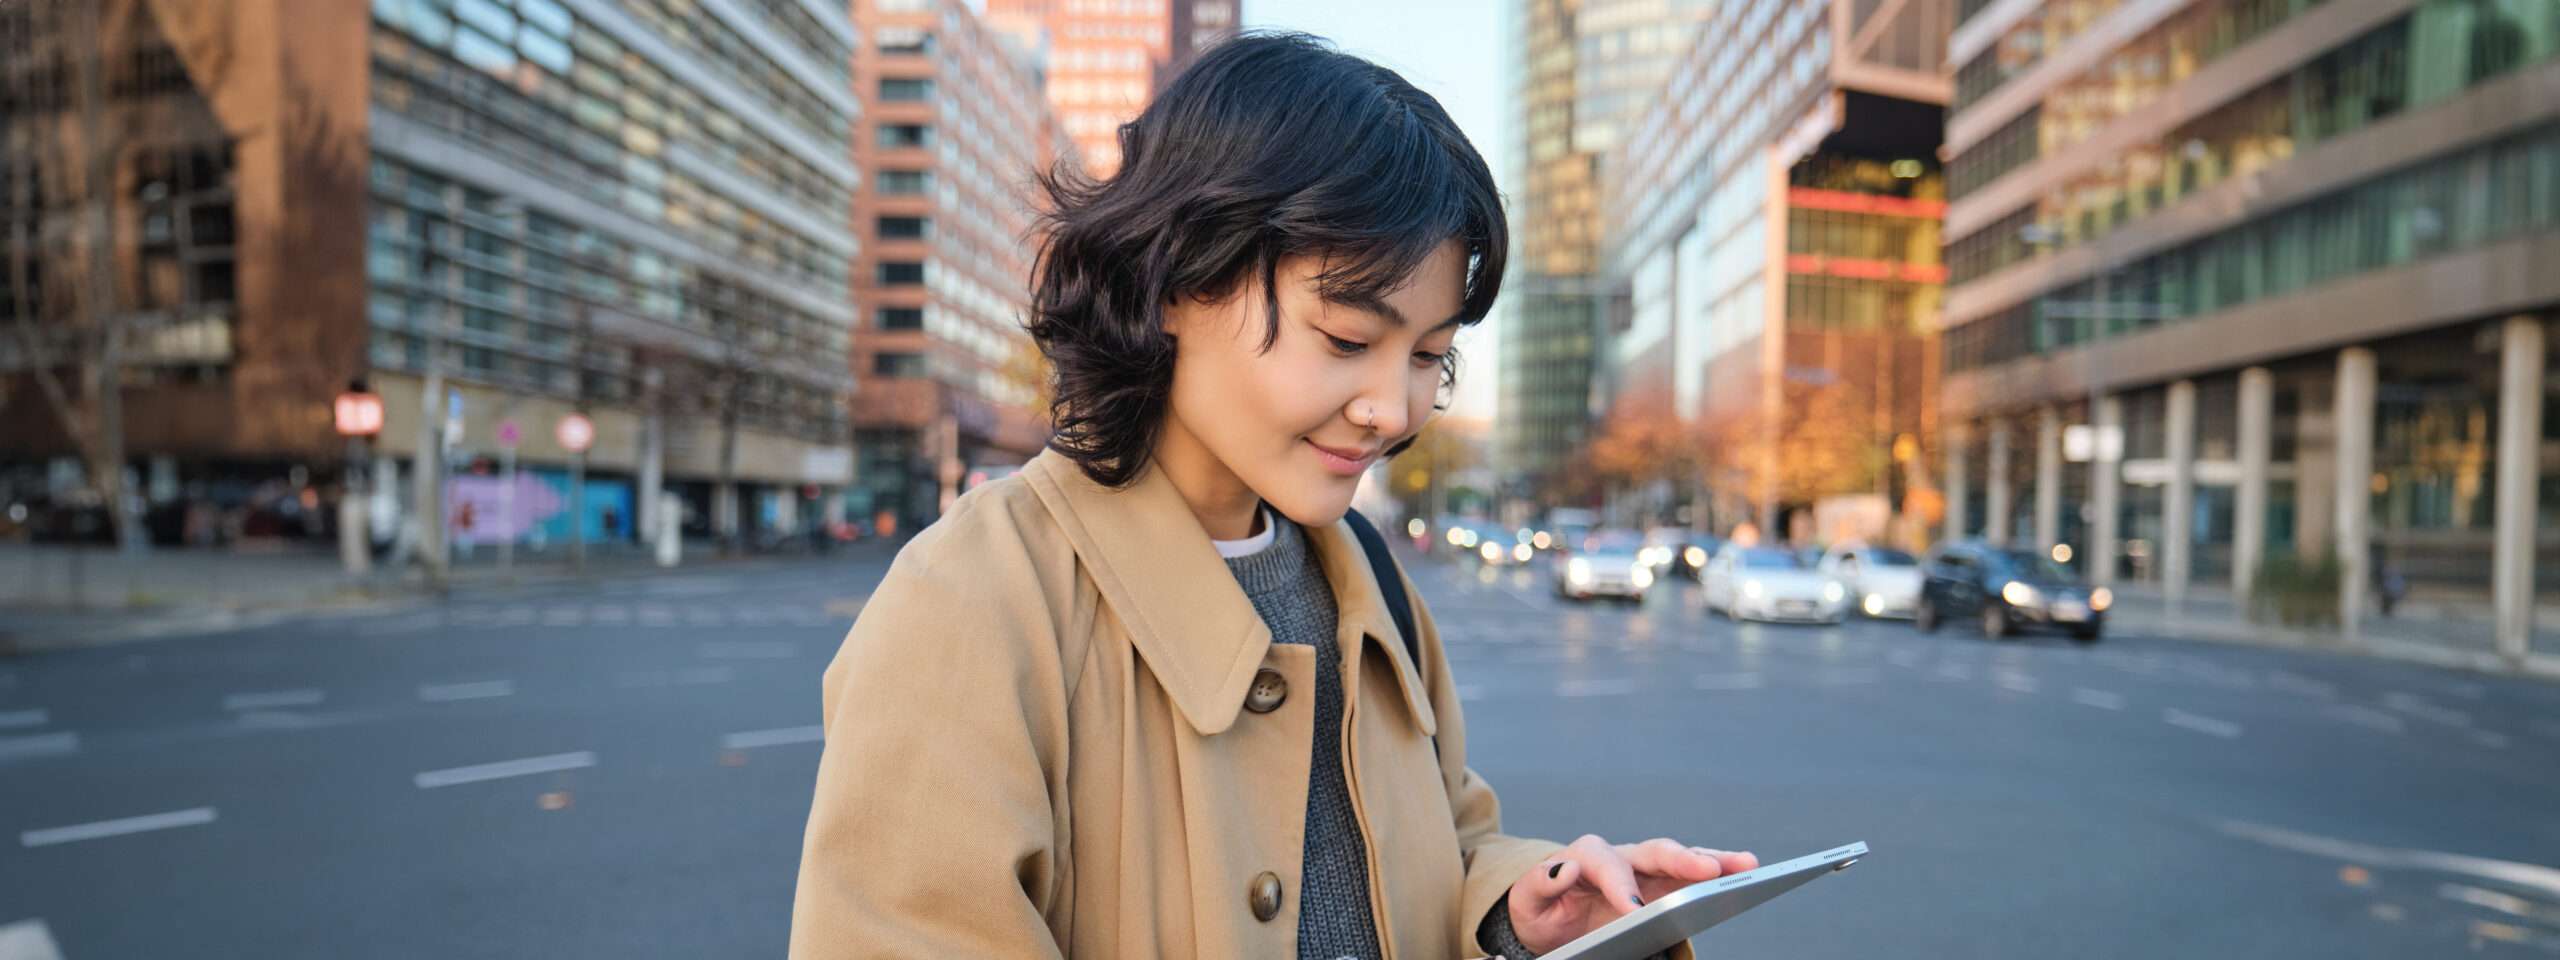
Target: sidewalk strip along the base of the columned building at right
[(2438, 631)]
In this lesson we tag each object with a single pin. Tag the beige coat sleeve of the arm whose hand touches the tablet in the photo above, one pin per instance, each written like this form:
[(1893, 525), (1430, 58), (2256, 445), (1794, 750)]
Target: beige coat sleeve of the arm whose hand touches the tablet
[(1491, 856)]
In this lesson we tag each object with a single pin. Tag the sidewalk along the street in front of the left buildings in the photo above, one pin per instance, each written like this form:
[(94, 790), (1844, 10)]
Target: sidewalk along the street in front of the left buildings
[(58, 598)]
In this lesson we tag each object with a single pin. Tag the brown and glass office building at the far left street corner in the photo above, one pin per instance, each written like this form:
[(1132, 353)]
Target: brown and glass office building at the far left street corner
[(495, 214)]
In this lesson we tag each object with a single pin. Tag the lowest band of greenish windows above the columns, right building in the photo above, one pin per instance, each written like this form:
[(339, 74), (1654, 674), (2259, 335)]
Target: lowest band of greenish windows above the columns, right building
[(2441, 206)]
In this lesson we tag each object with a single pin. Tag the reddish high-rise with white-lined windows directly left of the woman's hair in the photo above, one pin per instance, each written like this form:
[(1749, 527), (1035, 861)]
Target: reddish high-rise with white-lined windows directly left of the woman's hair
[(954, 129)]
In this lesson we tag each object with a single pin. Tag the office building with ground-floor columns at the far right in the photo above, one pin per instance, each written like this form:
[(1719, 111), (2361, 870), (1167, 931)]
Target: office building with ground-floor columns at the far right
[(2252, 280)]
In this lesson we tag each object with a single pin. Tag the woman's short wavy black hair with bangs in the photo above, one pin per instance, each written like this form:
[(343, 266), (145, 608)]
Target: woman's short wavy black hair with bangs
[(1271, 145)]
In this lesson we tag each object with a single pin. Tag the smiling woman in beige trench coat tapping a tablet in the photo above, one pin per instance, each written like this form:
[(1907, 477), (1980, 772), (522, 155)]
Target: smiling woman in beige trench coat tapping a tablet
[(1064, 728)]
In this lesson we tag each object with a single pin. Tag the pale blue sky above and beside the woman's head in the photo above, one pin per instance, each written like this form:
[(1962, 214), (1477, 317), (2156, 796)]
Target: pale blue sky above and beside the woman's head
[(1453, 50)]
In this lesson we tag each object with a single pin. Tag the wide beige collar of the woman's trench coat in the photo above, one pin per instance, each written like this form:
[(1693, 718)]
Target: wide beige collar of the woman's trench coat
[(1184, 608)]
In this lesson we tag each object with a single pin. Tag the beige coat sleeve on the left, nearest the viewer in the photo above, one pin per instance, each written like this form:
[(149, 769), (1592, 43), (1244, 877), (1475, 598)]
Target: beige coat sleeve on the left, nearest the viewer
[(933, 831)]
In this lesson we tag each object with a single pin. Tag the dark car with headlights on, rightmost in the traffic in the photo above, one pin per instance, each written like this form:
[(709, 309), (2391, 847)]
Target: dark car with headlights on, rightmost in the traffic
[(2008, 593)]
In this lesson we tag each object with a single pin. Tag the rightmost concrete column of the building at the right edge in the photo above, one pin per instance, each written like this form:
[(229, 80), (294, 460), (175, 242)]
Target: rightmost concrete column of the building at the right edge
[(2520, 475)]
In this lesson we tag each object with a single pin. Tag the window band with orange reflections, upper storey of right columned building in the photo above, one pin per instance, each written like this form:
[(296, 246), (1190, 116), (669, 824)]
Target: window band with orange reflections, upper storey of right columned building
[(2405, 65)]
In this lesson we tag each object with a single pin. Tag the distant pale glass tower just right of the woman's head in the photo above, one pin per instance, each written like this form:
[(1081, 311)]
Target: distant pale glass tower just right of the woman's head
[(1586, 70)]
